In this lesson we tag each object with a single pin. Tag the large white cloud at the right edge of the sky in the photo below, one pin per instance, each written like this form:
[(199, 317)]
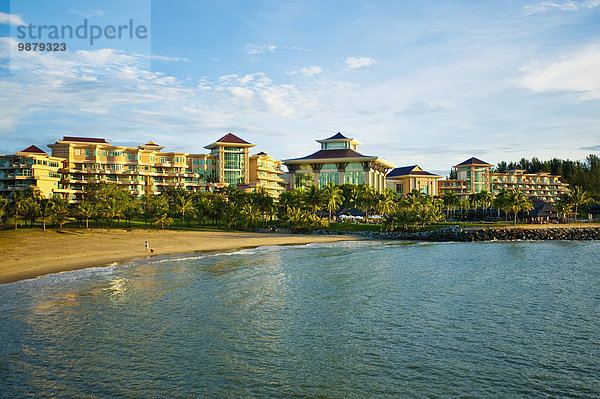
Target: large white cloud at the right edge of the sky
[(576, 72)]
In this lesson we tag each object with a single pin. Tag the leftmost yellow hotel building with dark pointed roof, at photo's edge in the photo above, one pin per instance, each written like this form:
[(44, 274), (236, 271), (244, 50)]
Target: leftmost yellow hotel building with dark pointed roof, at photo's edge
[(30, 168)]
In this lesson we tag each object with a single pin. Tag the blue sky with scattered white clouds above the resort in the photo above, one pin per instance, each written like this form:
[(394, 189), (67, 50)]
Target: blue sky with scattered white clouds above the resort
[(430, 83)]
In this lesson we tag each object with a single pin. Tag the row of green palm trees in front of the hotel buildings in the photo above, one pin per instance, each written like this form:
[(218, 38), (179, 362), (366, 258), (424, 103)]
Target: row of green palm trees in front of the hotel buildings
[(302, 209)]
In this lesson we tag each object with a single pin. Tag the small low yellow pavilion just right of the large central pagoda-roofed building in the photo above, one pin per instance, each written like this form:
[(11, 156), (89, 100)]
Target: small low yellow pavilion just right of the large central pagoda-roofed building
[(405, 179)]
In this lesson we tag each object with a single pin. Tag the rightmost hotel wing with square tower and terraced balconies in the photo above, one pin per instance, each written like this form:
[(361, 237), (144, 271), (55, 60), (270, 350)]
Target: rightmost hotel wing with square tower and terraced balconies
[(474, 175)]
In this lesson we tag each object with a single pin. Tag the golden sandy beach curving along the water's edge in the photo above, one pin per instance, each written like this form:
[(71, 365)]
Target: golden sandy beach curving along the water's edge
[(31, 253)]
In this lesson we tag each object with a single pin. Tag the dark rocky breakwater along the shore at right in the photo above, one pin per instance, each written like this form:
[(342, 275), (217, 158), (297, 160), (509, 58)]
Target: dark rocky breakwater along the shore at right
[(457, 233)]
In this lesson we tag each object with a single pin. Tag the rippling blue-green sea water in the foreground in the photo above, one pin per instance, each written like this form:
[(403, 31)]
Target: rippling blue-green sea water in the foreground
[(341, 320)]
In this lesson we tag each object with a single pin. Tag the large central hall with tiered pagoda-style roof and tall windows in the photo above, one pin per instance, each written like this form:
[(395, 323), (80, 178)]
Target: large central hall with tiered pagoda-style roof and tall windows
[(339, 162)]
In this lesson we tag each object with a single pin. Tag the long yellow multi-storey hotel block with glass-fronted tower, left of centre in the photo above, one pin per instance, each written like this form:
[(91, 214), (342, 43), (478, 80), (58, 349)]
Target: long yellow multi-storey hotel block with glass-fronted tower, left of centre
[(148, 169)]
